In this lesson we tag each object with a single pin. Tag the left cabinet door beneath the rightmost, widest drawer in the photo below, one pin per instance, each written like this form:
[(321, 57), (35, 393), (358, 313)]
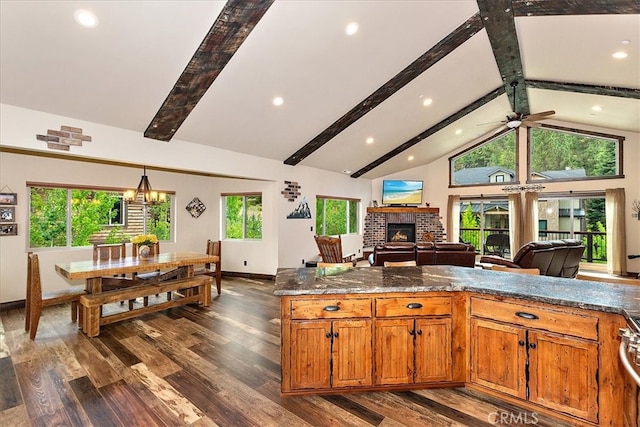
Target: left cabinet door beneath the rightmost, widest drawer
[(498, 357)]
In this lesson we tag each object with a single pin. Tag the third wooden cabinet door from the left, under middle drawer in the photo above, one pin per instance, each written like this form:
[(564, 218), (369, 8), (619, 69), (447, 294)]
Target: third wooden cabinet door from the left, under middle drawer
[(394, 351)]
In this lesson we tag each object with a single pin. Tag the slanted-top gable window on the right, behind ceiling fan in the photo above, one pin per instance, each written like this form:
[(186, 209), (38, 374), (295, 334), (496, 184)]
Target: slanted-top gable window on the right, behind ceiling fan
[(562, 154)]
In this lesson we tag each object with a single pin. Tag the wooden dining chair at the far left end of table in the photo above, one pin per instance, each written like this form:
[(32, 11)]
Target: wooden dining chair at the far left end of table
[(36, 299)]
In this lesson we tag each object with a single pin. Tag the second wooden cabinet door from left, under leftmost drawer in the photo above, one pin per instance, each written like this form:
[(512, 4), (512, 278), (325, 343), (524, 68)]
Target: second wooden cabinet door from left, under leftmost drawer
[(351, 355)]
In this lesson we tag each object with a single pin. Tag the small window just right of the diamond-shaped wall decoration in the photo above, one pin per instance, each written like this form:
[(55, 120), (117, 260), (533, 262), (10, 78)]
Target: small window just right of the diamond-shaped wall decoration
[(243, 216)]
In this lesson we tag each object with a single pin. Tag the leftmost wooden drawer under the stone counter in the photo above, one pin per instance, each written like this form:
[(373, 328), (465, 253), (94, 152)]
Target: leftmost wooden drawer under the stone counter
[(338, 308)]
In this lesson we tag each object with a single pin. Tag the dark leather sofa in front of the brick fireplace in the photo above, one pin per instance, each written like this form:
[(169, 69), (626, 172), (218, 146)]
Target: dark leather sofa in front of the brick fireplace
[(425, 253)]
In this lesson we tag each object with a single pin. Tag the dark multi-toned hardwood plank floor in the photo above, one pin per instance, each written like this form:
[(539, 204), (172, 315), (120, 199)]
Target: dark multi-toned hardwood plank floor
[(200, 367)]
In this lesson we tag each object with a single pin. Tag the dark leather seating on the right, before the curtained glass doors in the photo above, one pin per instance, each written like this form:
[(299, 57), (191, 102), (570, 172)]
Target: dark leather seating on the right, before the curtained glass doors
[(558, 258)]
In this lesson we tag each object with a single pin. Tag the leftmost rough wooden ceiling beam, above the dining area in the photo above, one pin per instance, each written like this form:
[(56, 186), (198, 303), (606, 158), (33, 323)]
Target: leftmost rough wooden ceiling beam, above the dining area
[(231, 28)]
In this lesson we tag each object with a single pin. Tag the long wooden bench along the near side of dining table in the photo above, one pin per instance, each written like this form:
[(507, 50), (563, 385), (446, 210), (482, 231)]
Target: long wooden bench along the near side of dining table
[(183, 291)]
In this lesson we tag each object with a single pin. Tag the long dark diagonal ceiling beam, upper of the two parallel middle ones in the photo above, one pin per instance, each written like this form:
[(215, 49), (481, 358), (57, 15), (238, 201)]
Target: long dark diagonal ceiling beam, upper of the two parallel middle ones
[(444, 47)]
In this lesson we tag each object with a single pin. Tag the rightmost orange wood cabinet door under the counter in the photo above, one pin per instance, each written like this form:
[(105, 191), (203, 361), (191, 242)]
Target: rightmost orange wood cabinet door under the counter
[(563, 374)]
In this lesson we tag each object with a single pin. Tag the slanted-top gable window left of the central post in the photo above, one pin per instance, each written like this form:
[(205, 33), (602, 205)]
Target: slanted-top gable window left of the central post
[(491, 161)]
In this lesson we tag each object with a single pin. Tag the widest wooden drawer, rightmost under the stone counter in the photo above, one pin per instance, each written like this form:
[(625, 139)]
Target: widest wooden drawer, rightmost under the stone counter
[(536, 317)]
